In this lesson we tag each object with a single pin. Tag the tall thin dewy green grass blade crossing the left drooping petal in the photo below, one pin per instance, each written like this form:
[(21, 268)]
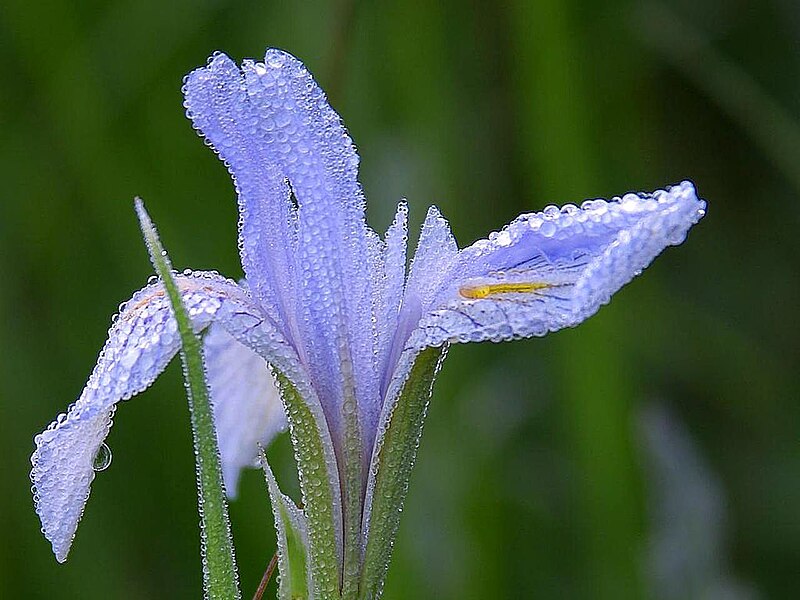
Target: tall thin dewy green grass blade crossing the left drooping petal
[(220, 581)]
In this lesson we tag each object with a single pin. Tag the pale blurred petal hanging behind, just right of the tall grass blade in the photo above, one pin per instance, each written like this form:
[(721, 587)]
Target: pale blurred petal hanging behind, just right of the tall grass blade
[(247, 404)]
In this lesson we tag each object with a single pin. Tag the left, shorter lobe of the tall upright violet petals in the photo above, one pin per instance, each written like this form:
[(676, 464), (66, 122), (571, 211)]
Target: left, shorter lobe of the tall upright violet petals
[(219, 107)]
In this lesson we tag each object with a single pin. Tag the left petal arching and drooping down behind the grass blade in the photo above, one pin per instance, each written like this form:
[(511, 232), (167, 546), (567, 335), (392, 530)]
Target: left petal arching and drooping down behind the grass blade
[(141, 341)]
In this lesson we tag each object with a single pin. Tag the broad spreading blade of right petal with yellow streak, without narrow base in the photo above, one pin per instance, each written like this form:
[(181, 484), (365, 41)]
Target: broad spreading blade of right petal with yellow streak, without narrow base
[(554, 269)]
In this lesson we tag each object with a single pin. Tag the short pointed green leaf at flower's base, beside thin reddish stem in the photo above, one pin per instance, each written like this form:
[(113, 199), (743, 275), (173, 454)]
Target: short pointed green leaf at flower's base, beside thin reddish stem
[(292, 533)]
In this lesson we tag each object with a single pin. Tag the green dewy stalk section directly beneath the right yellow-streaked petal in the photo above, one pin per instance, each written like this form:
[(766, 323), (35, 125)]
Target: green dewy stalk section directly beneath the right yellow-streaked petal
[(395, 460)]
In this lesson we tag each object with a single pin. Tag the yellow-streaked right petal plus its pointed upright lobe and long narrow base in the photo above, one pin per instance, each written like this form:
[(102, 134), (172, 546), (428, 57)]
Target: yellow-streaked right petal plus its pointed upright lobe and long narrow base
[(493, 289)]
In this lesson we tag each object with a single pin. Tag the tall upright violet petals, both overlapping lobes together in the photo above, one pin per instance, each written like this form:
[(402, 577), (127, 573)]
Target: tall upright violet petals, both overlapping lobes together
[(273, 126)]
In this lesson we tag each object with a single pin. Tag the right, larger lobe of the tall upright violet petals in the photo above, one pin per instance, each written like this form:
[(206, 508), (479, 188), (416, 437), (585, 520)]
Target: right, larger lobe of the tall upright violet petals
[(305, 138)]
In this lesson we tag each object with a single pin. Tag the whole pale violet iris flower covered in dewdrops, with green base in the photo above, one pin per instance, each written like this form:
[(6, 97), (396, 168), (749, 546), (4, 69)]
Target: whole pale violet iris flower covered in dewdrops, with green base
[(331, 308)]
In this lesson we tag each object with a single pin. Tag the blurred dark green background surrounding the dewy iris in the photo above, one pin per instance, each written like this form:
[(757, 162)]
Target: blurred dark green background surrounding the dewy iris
[(651, 453)]
